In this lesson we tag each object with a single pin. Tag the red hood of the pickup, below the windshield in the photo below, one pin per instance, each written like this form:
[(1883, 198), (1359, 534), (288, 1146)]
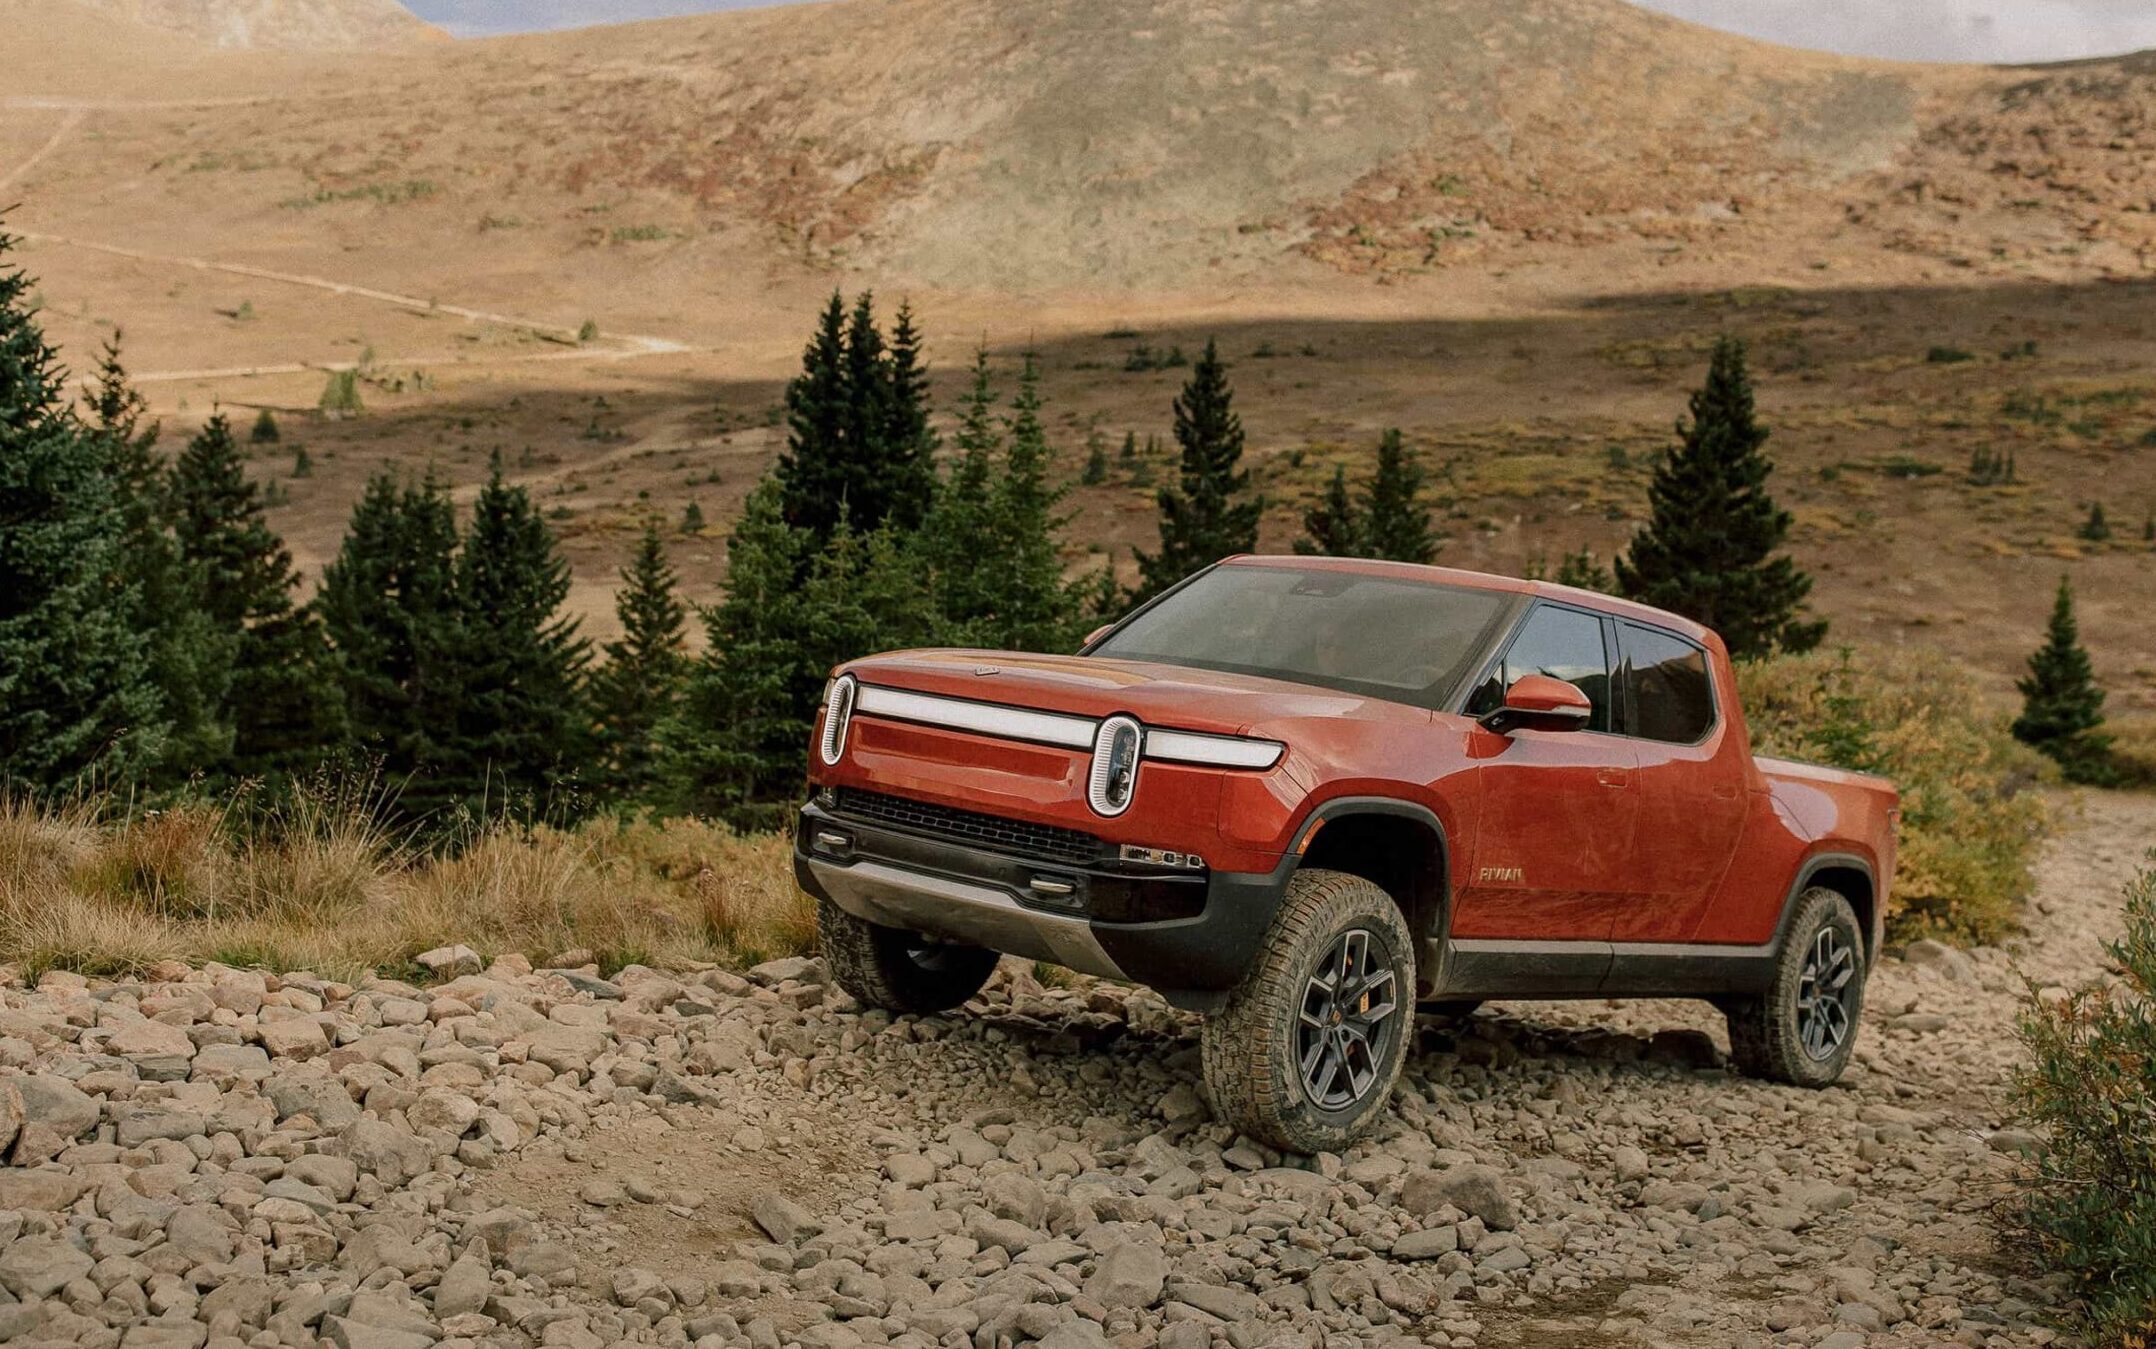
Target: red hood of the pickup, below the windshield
[(1157, 695)]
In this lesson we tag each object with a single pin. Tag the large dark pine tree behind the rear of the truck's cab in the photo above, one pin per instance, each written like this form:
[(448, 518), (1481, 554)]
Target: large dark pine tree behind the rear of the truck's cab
[(1713, 538)]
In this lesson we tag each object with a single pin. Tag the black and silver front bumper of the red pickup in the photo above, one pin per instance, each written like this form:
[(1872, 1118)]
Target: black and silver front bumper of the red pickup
[(1045, 910)]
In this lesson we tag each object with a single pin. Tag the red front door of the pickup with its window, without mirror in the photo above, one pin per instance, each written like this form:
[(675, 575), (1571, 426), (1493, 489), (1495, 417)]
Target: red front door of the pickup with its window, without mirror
[(1558, 807)]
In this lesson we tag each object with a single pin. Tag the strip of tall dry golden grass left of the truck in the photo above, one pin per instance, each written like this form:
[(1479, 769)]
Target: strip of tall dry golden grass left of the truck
[(320, 885)]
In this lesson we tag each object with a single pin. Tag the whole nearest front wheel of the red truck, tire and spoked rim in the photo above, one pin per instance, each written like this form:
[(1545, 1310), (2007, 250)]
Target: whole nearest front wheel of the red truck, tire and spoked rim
[(1310, 1044)]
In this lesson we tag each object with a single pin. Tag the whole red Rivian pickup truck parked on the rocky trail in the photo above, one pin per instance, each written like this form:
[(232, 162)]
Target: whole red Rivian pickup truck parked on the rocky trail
[(1310, 796)]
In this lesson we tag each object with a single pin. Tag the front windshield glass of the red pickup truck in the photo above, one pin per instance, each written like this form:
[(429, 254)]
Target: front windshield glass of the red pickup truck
[(1362, 635)]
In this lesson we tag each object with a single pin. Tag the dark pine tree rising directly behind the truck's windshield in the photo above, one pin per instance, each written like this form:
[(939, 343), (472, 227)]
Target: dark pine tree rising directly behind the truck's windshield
[(1211, 516)]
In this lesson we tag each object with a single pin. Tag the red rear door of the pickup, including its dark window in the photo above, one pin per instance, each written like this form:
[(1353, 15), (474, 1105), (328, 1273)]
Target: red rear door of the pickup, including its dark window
[(1691, 785)]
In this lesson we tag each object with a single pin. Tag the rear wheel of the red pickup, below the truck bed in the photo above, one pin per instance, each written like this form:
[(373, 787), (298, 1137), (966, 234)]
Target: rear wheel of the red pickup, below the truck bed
[(1803, 1029)]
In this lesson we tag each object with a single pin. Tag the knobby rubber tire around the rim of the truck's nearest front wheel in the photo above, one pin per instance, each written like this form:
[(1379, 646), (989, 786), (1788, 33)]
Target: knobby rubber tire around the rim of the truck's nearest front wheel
[(1249, 1046)]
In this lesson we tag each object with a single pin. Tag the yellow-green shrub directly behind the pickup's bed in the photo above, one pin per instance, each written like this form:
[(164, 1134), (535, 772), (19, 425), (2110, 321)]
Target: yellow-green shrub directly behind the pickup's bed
[(1970, 826)]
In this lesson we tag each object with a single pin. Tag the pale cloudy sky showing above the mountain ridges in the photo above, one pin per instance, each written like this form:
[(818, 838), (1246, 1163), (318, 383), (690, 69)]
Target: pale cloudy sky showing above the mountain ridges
[(1896, 29)]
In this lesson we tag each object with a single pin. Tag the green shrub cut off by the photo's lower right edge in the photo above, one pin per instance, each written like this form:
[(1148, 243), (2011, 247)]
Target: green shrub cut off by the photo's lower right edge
[(2092, 1087)]
